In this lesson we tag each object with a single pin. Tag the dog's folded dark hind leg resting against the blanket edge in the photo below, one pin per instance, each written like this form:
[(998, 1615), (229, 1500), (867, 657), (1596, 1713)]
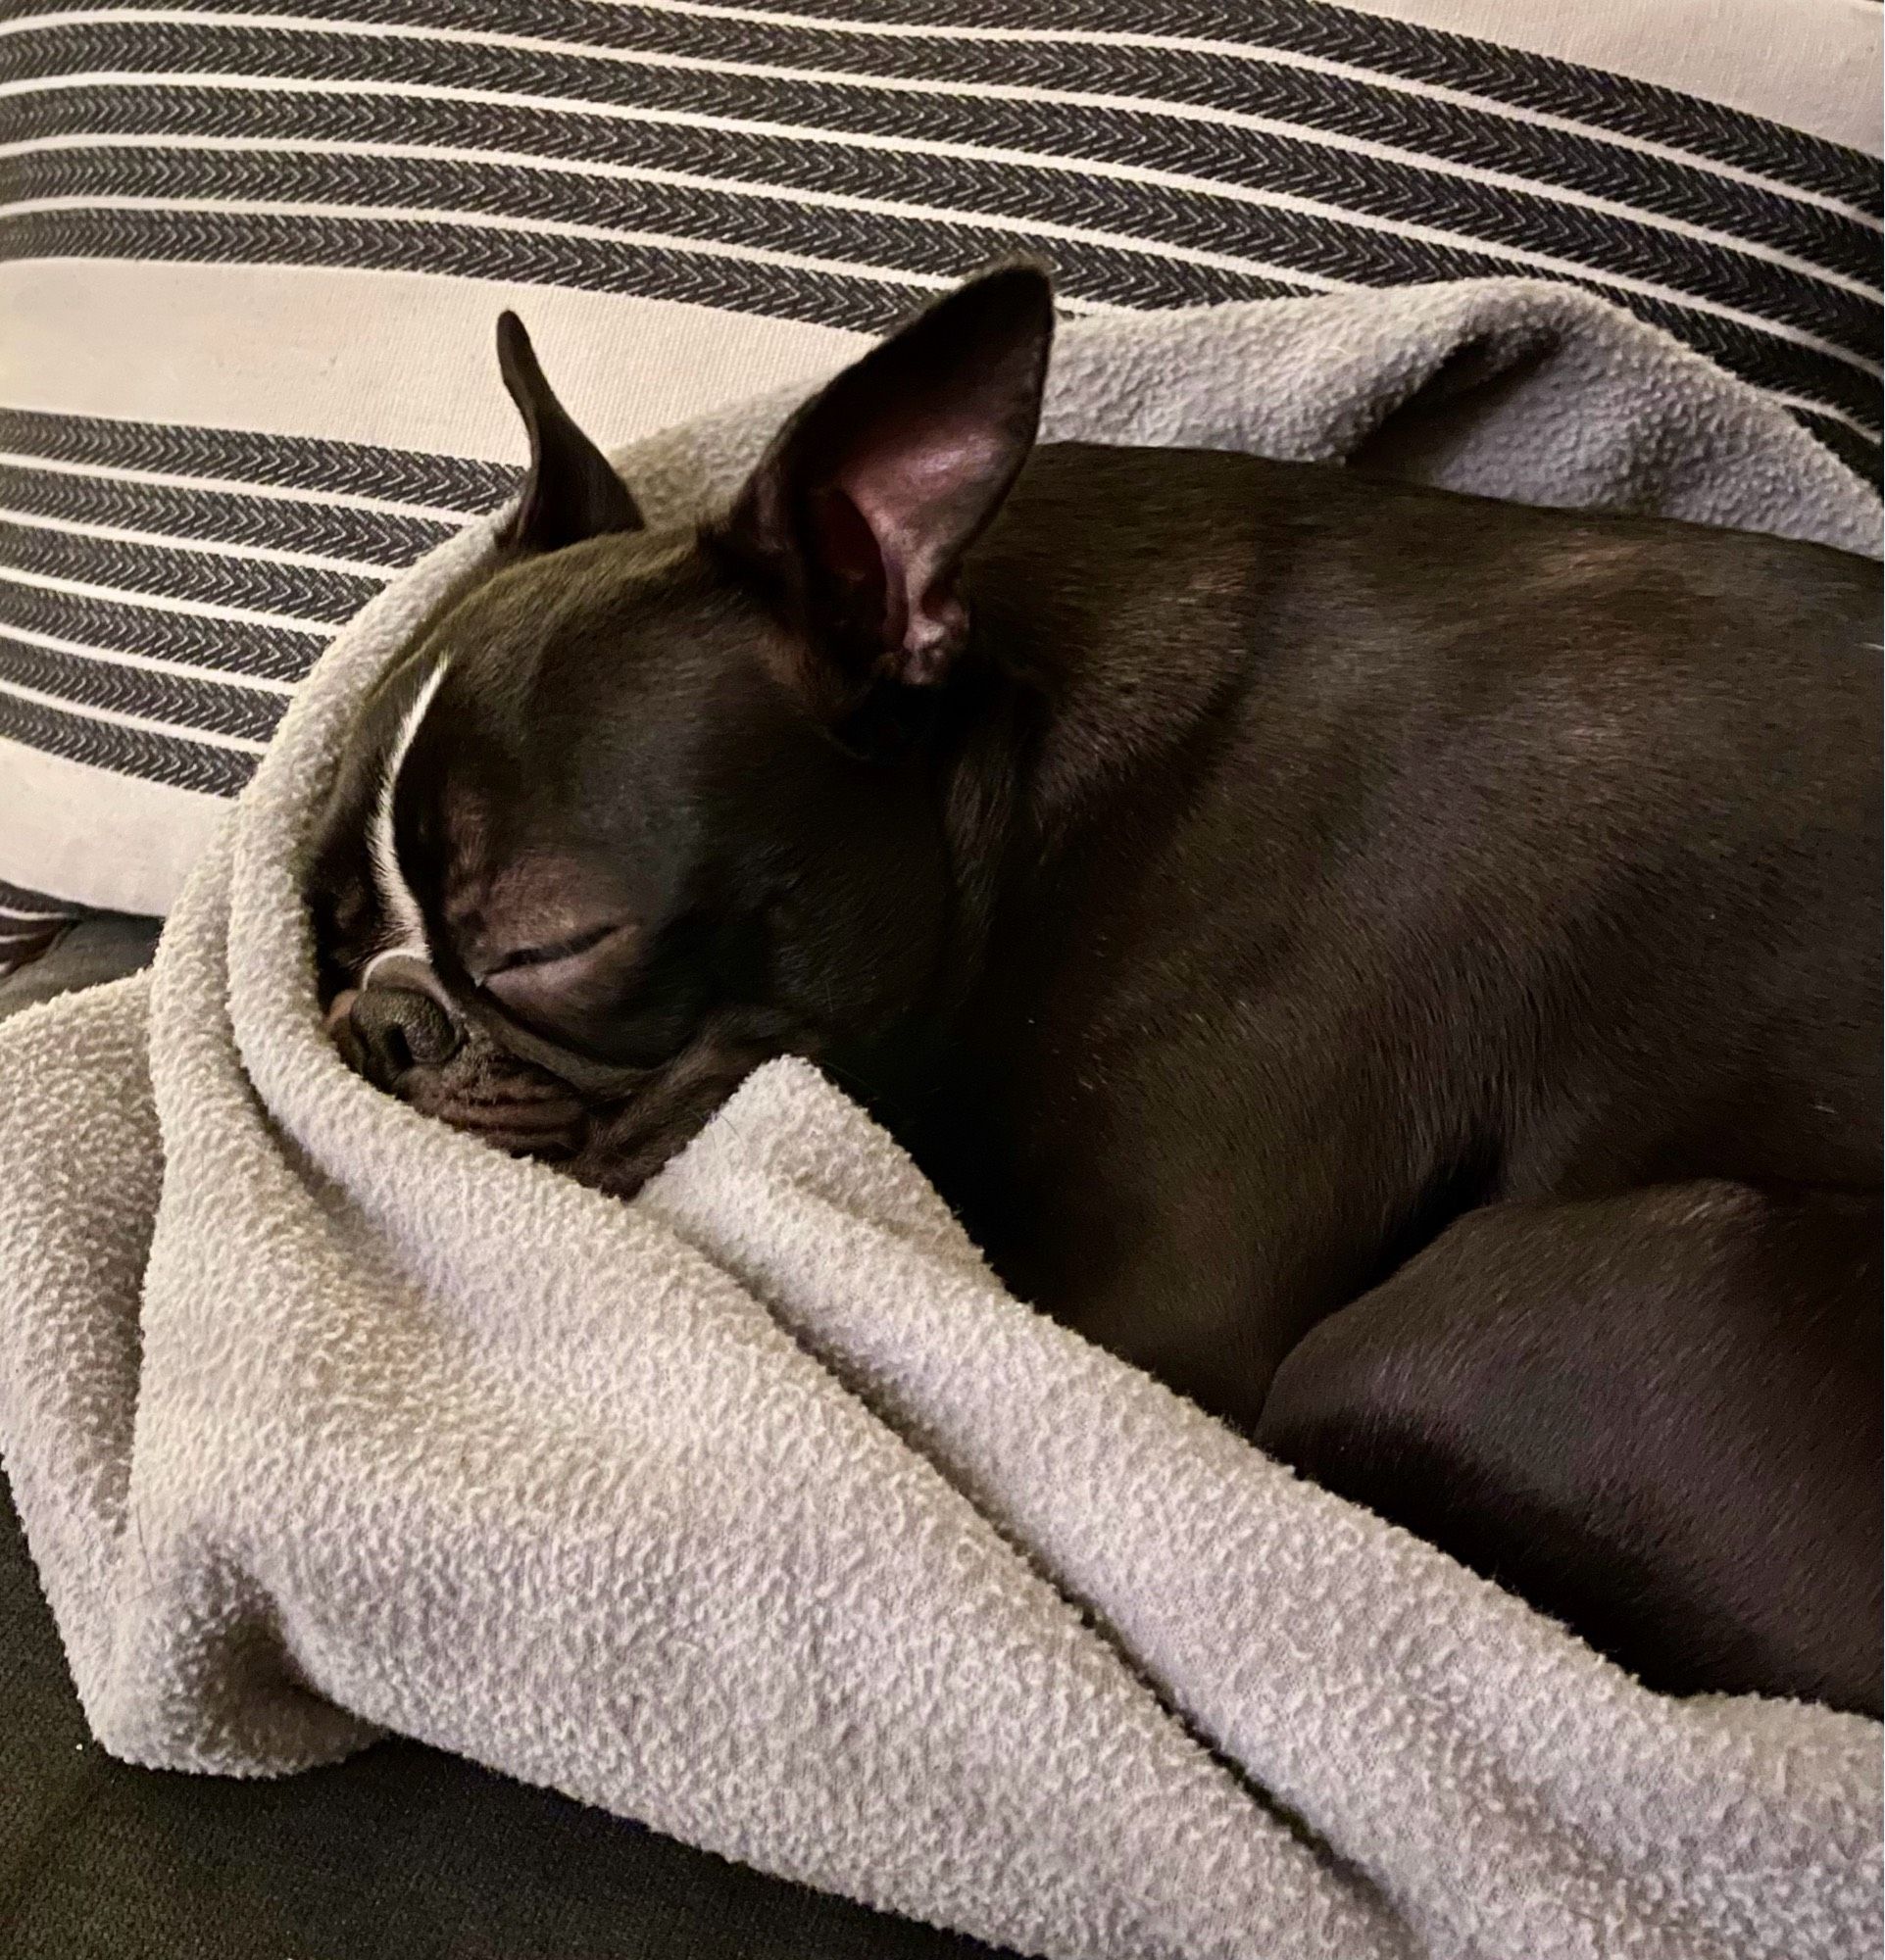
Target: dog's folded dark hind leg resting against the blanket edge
[(1655, 1416)]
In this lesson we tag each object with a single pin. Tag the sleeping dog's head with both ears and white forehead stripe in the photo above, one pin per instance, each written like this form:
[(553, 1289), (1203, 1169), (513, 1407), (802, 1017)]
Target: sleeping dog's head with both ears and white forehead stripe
[(648, 808)]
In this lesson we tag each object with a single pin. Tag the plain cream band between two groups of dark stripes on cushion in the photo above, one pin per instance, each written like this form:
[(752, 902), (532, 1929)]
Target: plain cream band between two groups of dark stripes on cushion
[(399, 360)]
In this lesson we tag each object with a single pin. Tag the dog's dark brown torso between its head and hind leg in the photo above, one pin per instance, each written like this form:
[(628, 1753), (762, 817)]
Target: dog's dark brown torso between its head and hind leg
[(1474, 850)]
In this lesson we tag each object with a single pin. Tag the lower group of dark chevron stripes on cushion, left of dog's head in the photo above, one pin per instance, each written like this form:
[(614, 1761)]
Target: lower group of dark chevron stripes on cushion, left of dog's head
[(152, 622)]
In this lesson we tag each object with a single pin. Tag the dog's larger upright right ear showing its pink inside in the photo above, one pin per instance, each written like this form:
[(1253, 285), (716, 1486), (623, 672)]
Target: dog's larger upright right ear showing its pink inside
[(865, 503)]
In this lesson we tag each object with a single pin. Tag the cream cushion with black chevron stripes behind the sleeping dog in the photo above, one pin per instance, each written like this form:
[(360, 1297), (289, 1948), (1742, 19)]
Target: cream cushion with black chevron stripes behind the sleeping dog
[(254, 258)]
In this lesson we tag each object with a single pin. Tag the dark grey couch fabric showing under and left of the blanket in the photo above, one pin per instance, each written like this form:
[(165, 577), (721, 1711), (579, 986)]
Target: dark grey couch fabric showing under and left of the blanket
[(399, 1853)]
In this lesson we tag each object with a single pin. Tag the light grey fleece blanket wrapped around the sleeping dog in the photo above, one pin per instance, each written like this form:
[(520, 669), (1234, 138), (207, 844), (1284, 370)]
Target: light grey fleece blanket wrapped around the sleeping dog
[(755, 1508)]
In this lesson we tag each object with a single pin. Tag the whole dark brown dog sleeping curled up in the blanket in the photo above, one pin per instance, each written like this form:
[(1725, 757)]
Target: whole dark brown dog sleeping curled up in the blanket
[(1400, 967)]
